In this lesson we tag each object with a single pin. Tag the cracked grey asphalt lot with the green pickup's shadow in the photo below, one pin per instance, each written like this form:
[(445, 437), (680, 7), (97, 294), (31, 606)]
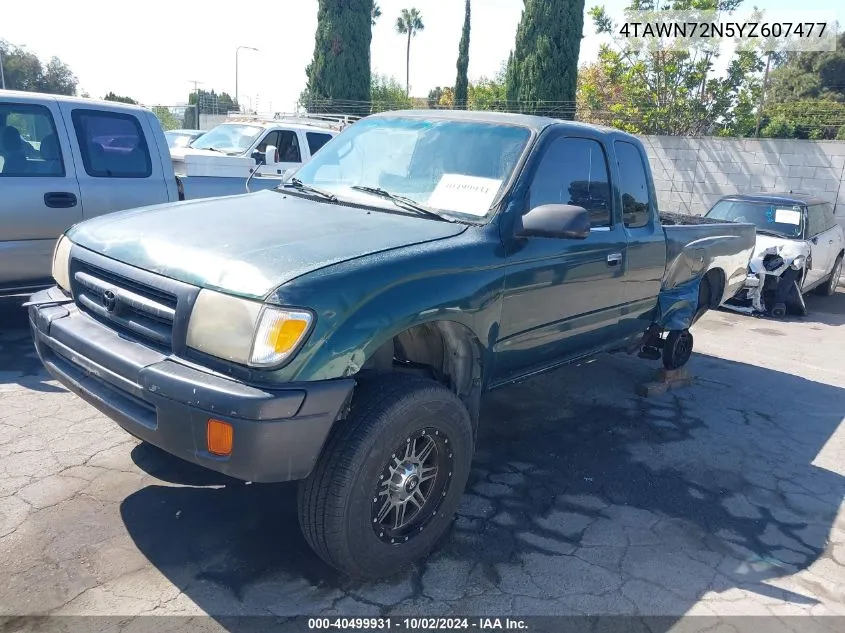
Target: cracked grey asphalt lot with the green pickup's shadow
[(722, 499)]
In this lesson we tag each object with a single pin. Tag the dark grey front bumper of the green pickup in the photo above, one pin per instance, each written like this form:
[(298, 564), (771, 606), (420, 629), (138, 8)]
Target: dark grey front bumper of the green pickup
[(277, 434)]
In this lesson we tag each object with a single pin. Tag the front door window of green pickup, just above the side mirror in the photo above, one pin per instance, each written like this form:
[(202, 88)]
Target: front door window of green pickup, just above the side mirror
[(574, 171)]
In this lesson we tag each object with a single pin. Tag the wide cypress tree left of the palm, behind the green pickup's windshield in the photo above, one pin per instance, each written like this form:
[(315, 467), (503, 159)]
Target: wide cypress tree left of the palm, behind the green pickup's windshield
[(339, 72)]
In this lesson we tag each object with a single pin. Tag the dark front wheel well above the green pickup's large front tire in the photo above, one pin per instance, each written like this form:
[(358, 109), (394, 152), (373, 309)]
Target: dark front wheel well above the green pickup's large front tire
[(445, 351)]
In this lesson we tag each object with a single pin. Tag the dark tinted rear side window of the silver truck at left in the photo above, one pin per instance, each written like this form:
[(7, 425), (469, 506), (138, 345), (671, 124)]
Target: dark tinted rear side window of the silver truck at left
[(112, 144)]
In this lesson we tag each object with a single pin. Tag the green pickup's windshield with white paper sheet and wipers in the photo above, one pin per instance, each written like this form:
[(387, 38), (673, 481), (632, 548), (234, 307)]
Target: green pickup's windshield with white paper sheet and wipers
[(454, 166)]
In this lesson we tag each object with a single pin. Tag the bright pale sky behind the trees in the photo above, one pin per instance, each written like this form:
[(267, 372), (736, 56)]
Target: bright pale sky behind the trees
[(153, 51)]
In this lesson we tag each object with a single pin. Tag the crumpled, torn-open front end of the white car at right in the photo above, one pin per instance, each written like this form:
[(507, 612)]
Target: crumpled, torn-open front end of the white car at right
[(773, 283)]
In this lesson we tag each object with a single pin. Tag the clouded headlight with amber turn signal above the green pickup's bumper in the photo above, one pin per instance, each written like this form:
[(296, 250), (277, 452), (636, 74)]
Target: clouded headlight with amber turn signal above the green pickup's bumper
[(245, 332)]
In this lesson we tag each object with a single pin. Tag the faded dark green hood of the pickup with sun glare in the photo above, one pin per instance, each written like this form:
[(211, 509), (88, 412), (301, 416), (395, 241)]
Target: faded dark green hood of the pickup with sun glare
[(250, 244)]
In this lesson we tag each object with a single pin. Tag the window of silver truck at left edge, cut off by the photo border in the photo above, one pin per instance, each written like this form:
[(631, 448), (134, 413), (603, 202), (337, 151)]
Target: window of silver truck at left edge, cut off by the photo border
[(29, 145)]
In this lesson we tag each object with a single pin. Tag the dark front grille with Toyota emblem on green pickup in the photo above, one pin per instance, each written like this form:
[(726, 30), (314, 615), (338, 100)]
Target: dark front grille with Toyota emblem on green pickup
[(137, 309)]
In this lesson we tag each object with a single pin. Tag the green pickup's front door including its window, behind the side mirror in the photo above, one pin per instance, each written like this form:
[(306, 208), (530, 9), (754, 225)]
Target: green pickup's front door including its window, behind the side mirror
[(563, 298)]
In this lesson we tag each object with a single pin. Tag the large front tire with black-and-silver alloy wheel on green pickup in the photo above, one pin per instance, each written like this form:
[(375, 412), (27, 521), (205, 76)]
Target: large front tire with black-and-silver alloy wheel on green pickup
[(390, 477)]
